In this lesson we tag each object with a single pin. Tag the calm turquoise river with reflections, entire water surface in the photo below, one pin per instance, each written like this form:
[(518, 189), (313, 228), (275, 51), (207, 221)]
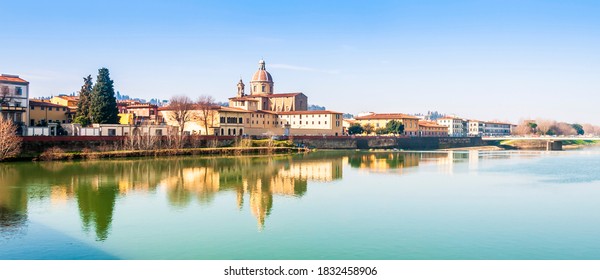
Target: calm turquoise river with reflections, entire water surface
[(322, 205)]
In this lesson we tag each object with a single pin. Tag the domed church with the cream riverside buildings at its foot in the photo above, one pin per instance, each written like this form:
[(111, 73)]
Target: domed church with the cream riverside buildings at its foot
[(264, 112)]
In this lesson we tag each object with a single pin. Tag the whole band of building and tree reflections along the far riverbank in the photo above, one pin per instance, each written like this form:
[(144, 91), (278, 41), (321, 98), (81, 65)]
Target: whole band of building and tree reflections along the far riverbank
[(256, 181)]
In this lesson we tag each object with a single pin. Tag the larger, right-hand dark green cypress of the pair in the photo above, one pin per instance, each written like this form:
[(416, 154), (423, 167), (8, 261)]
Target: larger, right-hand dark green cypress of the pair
[(103, 107)]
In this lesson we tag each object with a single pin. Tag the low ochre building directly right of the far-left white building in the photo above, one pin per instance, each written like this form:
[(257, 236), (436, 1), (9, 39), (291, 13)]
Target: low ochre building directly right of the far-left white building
[(41, 113)]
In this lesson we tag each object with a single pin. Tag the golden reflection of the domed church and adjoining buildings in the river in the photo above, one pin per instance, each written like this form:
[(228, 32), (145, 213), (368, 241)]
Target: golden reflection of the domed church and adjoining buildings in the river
[(254, 179)]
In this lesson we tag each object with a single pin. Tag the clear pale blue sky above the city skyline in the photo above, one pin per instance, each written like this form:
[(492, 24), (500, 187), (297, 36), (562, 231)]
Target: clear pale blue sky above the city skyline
[(484, 59)]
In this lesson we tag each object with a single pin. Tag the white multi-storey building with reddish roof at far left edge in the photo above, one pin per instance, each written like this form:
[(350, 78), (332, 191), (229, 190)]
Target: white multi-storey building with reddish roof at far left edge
[(14, 98)]
